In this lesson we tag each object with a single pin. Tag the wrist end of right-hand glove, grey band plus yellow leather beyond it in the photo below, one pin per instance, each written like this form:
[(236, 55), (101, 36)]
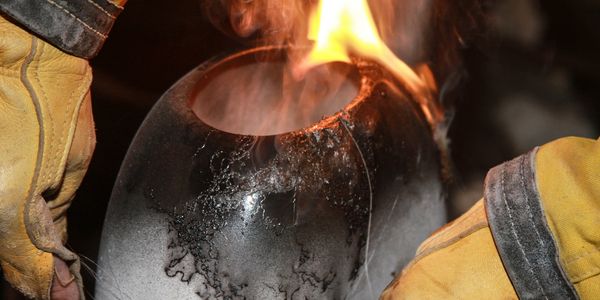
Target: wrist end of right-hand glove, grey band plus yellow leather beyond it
[(543, 209)]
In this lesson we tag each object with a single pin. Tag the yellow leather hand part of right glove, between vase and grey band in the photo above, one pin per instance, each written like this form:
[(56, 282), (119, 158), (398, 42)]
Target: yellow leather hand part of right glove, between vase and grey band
[(459, 261)]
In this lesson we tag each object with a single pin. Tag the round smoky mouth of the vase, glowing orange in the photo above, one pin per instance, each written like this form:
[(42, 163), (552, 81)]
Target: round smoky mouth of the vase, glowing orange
[(255, 93)]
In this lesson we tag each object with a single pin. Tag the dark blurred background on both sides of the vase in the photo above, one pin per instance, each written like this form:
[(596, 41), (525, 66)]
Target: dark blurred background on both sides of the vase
[(533, 77)]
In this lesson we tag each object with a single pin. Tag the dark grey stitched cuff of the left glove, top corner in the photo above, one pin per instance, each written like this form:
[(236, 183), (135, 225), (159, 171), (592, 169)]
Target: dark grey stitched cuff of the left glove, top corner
[(78, 27)]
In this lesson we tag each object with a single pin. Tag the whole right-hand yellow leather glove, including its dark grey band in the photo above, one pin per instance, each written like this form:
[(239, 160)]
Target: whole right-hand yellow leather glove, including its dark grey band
[(546, 245)]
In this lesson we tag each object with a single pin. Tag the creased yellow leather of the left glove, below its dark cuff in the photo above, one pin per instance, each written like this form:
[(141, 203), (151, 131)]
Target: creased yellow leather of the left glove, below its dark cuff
[(46, 141)]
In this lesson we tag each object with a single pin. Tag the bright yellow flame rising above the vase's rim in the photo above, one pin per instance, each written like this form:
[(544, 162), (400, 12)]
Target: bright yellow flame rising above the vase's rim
[(341, 27)]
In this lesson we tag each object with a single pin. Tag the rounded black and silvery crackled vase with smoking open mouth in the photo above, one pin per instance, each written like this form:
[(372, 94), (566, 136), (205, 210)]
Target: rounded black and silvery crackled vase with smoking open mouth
[(233, 188)]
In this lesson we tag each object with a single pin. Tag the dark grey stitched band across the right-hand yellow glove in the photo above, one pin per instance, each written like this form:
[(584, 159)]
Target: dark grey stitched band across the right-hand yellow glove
[(521, 233)]
